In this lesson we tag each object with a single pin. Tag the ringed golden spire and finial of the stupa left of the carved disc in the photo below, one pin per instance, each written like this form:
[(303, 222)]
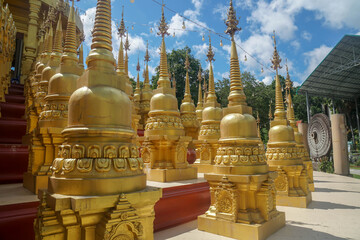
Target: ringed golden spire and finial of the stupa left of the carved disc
[(280, 113)]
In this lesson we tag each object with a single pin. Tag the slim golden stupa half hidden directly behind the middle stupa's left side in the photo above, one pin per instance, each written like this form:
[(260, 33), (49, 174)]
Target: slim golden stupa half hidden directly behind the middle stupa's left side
[(146, 92)]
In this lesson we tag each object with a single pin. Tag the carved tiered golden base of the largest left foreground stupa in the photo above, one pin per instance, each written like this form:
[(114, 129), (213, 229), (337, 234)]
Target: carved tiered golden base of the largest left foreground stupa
[(124, 216)]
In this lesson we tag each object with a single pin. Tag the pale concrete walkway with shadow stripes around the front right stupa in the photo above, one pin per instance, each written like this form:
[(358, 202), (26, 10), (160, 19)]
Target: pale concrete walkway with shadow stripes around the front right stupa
[(334, 214)]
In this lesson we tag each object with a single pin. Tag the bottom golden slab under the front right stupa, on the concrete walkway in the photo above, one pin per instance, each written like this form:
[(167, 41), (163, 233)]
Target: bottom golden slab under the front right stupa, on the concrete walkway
[(240, 230)]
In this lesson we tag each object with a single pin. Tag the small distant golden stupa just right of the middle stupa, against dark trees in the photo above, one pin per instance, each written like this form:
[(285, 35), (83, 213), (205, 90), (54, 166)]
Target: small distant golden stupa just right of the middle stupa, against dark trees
[(188, 110)]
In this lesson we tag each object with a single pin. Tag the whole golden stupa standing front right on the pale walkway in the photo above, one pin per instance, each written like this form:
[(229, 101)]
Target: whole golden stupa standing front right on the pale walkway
[(243, 196)]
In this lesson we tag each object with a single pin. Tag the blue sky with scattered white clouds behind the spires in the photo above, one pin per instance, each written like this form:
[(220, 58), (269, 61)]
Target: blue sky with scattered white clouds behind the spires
[(306, 31)]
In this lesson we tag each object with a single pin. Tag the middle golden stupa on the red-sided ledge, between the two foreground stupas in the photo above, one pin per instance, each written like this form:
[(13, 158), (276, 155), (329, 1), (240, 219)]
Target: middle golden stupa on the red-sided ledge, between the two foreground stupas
[(164, 149)]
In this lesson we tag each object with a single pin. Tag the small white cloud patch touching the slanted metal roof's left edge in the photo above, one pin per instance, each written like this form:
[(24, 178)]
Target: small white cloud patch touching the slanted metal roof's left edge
[(313, 58)]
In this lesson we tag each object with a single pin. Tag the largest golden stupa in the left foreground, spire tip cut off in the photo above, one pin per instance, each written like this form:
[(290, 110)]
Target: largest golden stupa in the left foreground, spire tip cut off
[(98, 188)]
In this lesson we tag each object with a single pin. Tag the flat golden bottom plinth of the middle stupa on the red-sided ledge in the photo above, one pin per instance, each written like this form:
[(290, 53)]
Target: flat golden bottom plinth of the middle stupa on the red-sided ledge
[(171, 175)]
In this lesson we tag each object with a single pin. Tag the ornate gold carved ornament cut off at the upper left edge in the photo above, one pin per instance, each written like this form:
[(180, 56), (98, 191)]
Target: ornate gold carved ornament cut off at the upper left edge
[(7, 48)]
